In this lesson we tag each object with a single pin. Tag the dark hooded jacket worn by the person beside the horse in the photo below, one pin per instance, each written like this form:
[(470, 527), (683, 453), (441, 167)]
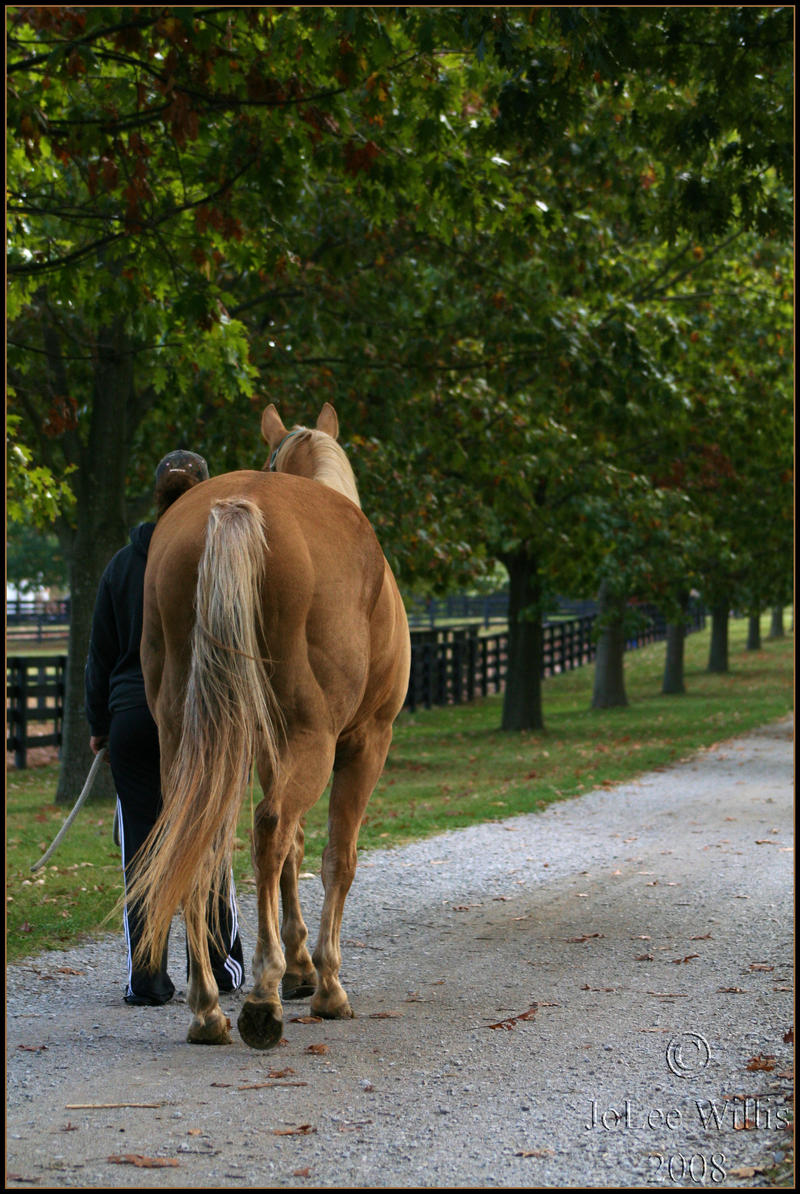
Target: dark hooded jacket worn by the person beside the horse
[(114, 676)]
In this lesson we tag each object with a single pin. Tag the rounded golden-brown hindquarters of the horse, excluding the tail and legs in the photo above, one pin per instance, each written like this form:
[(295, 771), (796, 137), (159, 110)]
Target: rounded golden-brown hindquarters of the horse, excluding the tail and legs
[(331, 619)]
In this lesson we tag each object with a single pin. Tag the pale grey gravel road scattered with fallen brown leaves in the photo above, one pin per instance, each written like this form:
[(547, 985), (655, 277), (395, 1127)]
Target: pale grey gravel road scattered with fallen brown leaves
[(595, 996)]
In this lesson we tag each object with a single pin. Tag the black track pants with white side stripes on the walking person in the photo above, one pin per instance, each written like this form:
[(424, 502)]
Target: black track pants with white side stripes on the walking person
[(136, 766)]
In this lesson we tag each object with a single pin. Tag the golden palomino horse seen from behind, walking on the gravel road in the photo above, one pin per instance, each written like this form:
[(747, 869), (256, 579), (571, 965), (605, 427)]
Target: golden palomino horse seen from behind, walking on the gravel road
[(274, 635)]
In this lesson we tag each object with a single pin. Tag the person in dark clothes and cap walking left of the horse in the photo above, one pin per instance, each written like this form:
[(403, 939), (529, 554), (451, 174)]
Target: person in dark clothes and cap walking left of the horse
[(120, 718)]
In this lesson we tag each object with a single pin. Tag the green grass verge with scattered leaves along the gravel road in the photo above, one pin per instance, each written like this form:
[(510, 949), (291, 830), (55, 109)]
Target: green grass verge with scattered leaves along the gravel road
[(447, 768)]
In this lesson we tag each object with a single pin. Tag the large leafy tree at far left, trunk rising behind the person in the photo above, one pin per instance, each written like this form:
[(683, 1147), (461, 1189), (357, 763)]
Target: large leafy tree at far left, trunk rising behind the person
[(150, 151)]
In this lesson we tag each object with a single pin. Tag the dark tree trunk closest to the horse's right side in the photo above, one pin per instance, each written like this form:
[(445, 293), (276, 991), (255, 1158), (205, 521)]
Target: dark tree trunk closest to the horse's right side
[(522, 703)]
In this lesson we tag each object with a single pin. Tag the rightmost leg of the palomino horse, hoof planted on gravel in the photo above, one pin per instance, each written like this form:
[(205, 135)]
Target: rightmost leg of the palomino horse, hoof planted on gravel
[(356, 773)]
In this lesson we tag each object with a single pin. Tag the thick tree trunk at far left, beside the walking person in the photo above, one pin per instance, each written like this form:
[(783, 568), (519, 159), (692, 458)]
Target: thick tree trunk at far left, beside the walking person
[(101, 531)]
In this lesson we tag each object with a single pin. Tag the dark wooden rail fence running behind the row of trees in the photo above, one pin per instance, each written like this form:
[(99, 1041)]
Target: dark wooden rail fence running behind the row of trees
[(448, 667)]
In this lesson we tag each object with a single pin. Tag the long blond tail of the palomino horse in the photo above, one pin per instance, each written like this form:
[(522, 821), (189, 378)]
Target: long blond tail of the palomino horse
[(230, 715)]
